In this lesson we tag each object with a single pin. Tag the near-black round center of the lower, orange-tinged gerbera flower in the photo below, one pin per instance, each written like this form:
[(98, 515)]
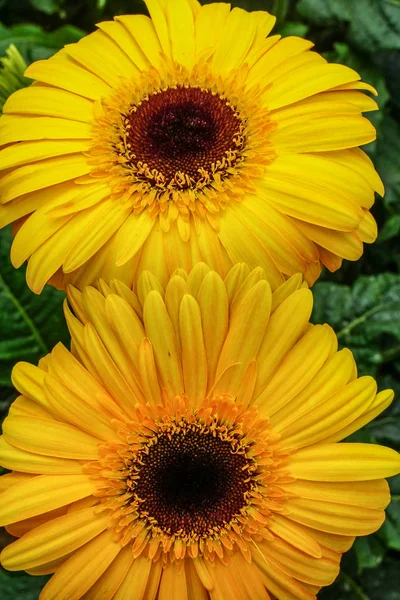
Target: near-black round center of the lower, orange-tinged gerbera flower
[(191, 481)]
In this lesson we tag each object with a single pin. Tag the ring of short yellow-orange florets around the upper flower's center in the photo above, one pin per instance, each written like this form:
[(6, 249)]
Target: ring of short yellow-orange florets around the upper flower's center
[(229, 178)]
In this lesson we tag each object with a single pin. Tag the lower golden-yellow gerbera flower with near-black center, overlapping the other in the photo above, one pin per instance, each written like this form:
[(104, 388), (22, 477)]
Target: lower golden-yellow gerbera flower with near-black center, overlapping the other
[(187, 449)]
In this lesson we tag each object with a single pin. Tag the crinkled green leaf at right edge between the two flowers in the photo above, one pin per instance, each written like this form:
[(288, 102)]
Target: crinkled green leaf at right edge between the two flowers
[(366, 316)]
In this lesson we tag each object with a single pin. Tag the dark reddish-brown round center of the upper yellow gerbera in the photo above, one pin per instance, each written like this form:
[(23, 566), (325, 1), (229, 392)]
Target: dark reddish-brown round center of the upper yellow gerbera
[(182, 135)]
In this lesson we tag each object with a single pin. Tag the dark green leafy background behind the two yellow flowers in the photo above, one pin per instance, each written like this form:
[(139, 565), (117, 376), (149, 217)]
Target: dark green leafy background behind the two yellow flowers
[(361, 301)]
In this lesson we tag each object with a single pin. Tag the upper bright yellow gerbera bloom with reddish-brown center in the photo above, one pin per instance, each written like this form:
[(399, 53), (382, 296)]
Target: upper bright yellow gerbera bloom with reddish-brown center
[(156, 143)]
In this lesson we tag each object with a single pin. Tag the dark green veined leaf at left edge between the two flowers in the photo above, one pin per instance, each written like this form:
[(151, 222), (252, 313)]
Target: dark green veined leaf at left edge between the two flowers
[(30, 325)]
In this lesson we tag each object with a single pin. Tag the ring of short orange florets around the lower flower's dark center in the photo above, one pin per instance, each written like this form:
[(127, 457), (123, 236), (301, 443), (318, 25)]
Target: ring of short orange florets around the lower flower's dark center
[(120, 467)]
